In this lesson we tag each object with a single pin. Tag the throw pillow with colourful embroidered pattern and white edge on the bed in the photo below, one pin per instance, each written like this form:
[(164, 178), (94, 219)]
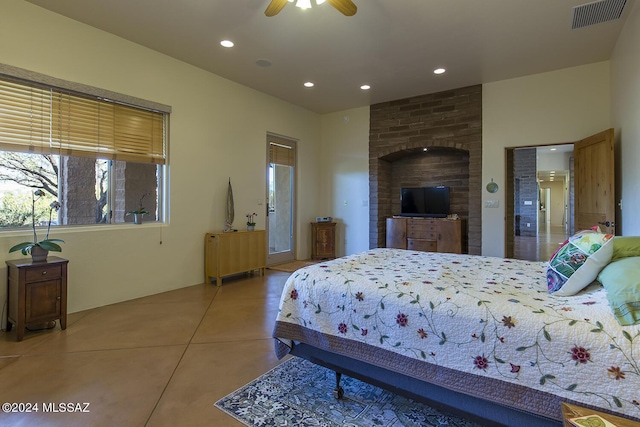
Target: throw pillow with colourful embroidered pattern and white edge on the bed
[(578, 262)]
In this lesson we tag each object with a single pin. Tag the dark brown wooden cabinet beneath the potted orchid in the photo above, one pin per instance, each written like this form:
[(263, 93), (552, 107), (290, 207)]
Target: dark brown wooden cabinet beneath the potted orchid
[(37, 293)]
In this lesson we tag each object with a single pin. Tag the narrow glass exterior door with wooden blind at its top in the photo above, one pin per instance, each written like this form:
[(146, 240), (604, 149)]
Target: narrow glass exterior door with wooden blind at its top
[(280, 222)]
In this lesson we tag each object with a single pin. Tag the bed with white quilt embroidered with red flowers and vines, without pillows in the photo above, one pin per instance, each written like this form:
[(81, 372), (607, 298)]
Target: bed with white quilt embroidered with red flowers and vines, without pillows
[(475, 335)]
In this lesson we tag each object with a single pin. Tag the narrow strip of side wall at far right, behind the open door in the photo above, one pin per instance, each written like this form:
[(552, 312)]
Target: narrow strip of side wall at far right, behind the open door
[(625, 108)]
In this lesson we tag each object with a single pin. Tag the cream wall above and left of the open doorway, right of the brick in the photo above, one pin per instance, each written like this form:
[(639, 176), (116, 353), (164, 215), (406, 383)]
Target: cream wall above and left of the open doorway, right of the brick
[(550, 108)]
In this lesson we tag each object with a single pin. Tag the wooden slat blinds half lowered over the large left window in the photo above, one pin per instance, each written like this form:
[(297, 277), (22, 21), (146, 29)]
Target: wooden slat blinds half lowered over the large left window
[(48, 120)]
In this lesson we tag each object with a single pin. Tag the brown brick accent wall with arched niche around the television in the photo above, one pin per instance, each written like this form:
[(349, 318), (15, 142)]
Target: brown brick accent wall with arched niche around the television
[(449, 125)]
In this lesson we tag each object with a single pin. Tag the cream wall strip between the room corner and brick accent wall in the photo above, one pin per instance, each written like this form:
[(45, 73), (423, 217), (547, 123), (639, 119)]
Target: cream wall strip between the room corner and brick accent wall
[(345, 177)]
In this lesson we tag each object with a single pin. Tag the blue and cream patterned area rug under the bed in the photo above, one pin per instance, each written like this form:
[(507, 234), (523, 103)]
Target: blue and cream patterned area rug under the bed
[(299, 393)]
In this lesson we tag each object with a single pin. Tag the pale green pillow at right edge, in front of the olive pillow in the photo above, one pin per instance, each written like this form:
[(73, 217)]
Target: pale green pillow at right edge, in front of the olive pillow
[(621, 279)]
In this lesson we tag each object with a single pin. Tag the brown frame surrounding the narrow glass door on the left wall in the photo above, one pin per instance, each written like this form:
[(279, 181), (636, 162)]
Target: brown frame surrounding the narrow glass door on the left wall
[(288, 255)]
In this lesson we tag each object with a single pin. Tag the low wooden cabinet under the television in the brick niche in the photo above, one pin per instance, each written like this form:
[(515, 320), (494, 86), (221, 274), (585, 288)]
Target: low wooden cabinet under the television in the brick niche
[(426, 234)]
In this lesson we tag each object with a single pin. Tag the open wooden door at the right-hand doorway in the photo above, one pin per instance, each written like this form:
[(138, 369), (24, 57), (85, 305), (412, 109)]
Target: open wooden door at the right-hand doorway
[(594, 182)]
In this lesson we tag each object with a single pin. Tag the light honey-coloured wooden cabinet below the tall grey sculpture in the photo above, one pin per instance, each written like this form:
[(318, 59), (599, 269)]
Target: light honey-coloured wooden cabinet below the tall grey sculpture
[(236, 252)]
